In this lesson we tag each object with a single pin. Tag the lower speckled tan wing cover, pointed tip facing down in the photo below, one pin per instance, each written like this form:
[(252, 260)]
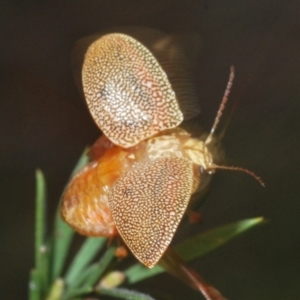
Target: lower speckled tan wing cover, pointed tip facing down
[(148, 203)]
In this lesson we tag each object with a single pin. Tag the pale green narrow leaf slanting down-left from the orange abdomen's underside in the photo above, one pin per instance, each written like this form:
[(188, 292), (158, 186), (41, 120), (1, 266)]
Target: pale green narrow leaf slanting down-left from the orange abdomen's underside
[(85, 255)]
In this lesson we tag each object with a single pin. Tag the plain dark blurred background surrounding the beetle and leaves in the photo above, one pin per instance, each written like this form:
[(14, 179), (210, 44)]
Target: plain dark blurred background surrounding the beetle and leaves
[(44, 123)]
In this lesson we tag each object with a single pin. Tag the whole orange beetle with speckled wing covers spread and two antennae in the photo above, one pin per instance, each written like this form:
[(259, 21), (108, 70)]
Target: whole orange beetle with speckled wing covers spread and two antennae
[(145, 168)]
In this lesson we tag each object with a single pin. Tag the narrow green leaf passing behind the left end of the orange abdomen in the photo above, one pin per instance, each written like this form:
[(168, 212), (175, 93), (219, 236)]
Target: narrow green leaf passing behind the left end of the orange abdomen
[(63, 233)]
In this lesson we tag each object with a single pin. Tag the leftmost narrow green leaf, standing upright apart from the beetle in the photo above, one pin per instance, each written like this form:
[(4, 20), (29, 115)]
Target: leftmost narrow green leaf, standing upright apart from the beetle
[(41, 253)]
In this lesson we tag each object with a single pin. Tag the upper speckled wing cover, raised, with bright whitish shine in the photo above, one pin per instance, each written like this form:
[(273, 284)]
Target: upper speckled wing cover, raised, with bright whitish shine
[(127, 91)]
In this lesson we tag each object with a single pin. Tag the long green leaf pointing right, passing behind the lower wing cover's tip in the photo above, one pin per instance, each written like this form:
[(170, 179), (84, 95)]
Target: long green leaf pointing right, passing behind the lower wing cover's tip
[(196, 246)]
